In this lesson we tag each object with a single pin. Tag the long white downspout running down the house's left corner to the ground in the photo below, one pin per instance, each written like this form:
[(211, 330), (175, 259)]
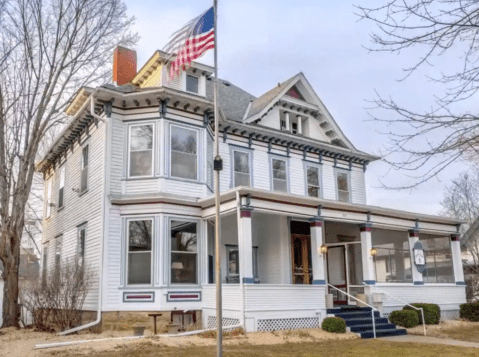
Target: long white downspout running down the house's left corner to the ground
[(102, 238)]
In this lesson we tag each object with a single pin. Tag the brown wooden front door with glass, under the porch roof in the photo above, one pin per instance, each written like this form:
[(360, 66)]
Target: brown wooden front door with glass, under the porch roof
[(301, 254)]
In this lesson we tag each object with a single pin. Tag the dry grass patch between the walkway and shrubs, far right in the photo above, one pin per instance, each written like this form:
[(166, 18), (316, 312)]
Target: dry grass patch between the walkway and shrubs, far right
[(454, 330)]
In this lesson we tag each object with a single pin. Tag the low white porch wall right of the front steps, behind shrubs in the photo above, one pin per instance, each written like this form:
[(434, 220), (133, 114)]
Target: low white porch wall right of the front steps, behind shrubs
[(449, 297)]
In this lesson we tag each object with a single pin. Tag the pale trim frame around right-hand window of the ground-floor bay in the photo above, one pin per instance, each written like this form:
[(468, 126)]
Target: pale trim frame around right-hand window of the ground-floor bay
[(167, 256)]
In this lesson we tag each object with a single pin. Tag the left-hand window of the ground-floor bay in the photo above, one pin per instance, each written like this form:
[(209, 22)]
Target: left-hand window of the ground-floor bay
[(139, 251)]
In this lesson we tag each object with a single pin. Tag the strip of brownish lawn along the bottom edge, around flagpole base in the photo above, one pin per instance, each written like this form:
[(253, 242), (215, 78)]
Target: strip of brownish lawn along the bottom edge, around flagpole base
[(335, 348)]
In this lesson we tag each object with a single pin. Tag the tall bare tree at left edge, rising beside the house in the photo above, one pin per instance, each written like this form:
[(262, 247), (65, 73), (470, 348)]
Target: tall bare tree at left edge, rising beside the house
[(48, 49)]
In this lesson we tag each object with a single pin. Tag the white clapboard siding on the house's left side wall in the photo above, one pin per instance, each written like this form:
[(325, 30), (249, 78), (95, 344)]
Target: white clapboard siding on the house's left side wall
[(79, 209)]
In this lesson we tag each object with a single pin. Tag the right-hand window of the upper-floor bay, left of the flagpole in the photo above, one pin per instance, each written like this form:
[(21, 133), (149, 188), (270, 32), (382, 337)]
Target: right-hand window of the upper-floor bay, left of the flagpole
[(184, 148)]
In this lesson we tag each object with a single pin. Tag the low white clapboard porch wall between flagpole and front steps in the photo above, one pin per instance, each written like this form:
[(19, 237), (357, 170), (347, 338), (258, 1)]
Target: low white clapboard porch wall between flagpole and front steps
[(259, 298)]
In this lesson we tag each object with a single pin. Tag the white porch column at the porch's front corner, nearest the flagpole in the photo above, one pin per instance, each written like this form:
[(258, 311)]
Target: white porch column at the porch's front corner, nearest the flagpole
[(245, 245)]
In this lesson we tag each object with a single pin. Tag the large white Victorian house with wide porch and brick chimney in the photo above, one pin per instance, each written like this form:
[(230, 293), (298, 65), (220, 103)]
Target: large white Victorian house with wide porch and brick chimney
[(129, 192)]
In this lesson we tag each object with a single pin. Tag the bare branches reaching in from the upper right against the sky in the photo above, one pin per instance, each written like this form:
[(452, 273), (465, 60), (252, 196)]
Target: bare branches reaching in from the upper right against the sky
[(430, 141)]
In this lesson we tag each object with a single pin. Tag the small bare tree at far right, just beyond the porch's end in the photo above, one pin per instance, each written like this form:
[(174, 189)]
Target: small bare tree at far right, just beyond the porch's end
[(461, 201)]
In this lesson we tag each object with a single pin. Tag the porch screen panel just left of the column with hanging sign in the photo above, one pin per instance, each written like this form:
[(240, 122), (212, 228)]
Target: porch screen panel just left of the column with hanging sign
[(393, 259)]
